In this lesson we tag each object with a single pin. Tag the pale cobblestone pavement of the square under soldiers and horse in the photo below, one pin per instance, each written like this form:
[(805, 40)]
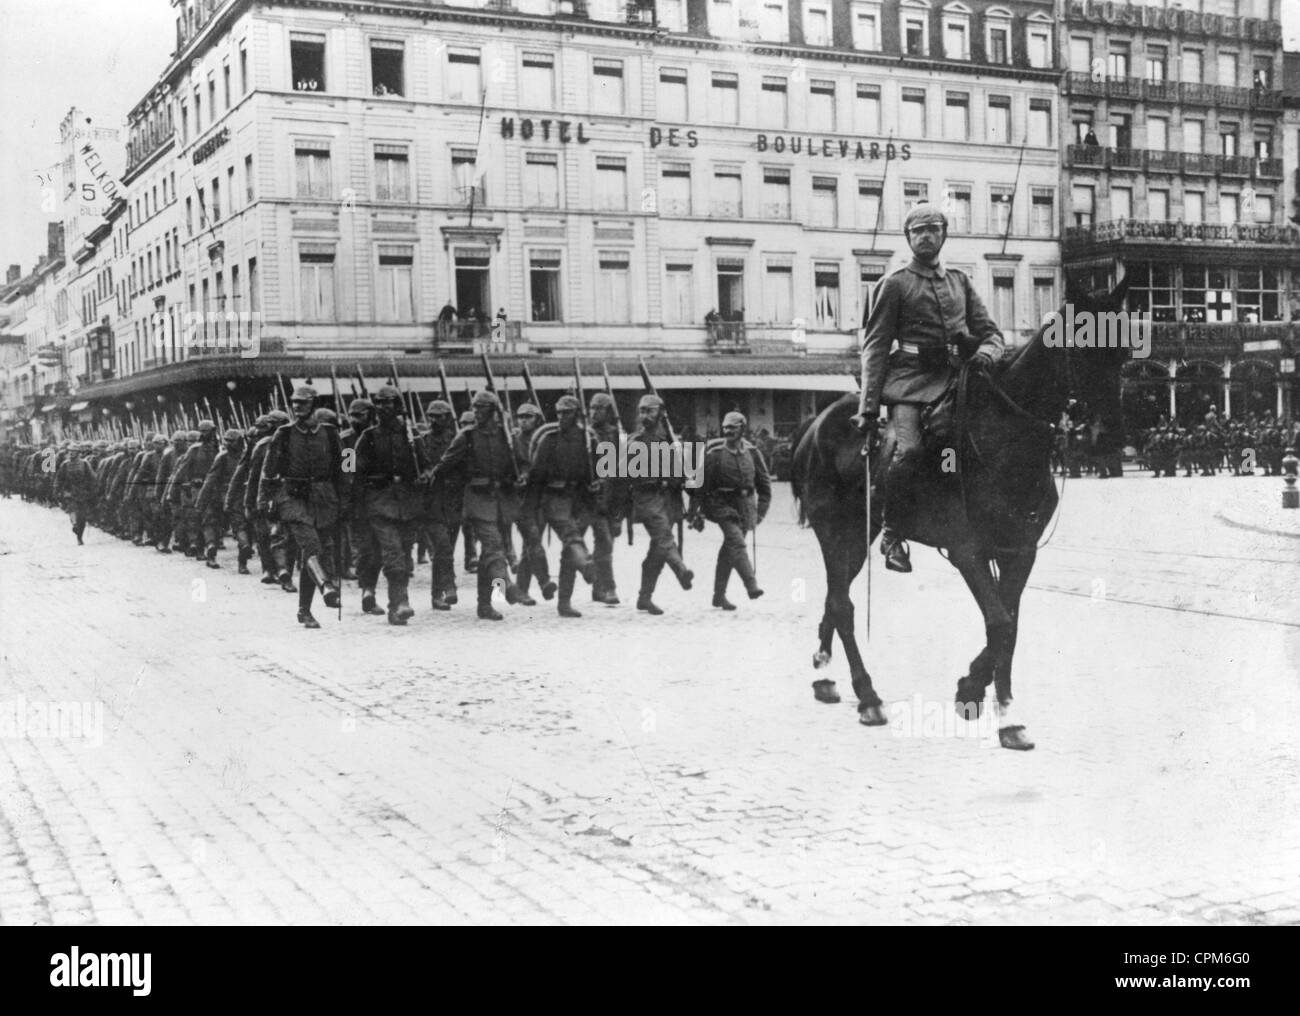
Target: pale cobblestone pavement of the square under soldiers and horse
[(626, 768)]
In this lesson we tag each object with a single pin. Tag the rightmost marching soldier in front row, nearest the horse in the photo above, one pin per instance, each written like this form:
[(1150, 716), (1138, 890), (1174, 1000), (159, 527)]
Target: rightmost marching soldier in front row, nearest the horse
[(735, 474)]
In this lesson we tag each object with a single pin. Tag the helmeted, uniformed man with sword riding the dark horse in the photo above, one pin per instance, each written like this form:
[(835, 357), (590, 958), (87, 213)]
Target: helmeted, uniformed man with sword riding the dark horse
[(938, 320)]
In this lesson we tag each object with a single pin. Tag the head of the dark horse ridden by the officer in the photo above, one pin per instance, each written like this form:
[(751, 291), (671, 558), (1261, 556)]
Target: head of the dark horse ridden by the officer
[(1093, 372)]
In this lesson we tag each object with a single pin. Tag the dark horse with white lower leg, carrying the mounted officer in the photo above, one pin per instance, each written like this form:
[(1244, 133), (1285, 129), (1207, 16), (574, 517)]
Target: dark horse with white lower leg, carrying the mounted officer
[(989, 515)]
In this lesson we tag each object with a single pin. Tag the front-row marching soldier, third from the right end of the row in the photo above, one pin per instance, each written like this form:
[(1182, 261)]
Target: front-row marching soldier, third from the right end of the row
[(562, 474)]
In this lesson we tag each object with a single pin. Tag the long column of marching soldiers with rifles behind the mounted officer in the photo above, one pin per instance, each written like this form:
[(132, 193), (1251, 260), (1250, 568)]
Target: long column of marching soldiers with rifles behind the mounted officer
[(330, 501)]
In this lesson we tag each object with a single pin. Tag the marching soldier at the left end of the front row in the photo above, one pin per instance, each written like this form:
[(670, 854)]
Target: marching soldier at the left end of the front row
[(302, 481)]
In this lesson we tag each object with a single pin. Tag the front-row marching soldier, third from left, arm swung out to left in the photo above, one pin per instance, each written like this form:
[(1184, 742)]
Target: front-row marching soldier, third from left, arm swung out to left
[(495, 483)]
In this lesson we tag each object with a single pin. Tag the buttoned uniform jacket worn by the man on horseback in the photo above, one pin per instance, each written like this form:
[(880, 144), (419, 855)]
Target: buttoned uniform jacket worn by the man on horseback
[(928, 309)]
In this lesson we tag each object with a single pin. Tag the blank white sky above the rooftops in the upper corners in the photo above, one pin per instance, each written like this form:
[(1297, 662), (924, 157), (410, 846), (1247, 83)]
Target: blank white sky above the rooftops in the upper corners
[(103, 57)]
